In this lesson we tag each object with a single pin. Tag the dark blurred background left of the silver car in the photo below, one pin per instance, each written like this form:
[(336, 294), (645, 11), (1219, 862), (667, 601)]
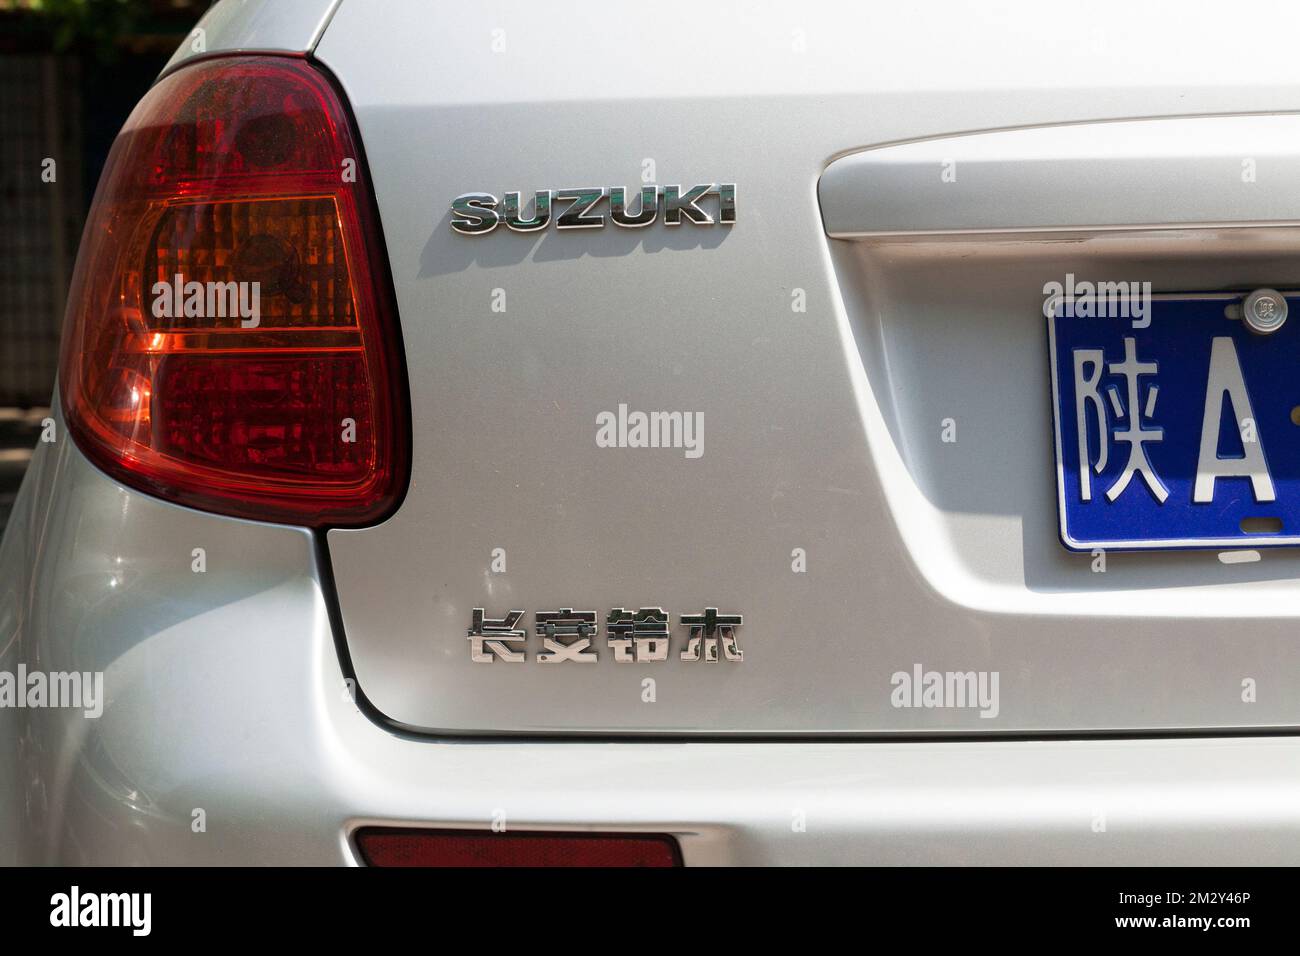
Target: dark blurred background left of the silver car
[(71, 72)]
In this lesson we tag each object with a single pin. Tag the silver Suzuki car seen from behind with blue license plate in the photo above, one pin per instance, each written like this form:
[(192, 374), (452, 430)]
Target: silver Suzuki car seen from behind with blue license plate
[(708, 434)]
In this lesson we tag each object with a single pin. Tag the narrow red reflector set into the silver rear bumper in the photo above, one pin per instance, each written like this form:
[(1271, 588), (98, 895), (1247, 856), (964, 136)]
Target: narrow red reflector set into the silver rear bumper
[(475, 849)]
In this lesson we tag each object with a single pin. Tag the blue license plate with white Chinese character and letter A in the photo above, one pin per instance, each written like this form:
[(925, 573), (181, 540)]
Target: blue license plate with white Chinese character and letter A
[(1176, 430)]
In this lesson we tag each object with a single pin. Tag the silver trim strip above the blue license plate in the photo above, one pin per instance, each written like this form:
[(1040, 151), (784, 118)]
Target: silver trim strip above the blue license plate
[(1103, 176)]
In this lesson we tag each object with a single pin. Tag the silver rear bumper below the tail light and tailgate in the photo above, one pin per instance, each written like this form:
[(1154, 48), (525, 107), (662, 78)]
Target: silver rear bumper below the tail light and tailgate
[(226, 697)]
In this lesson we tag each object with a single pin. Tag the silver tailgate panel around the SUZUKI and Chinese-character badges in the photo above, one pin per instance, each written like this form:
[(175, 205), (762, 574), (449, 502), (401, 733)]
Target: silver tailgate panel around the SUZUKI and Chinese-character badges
[(825, 426)]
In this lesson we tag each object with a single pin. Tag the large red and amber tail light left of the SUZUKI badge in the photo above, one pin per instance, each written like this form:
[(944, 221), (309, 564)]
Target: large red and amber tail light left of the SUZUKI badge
[(231, 340)]
